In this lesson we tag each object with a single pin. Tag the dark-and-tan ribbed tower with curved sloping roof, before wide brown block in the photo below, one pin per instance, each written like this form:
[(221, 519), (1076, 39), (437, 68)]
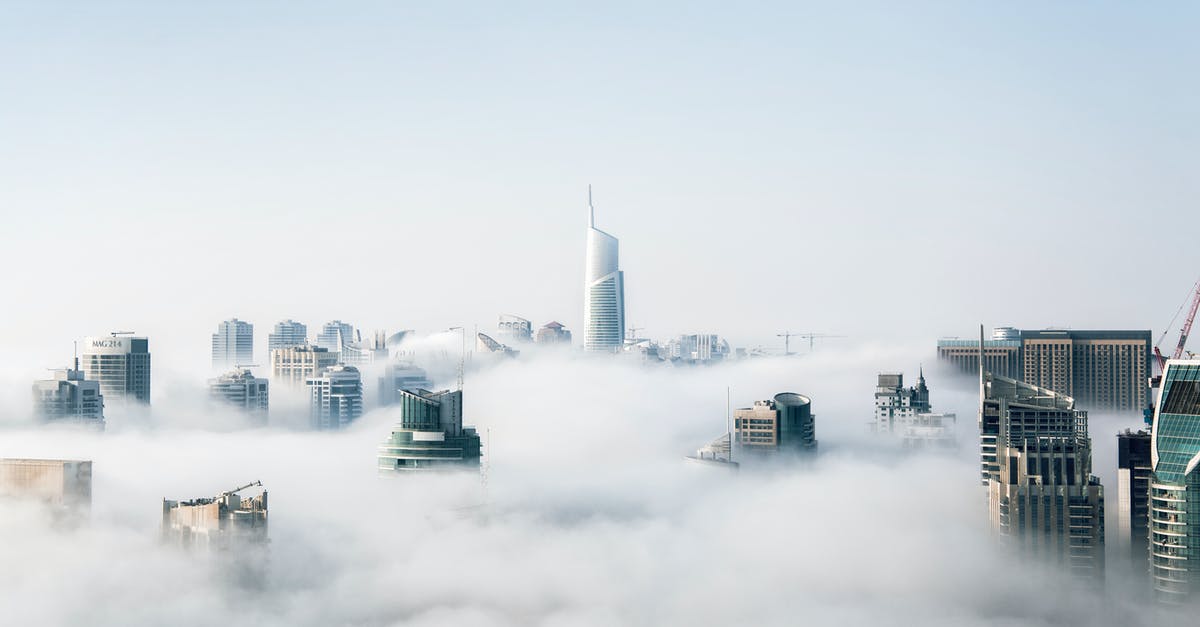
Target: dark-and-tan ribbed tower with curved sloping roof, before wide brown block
[(1037, 465)]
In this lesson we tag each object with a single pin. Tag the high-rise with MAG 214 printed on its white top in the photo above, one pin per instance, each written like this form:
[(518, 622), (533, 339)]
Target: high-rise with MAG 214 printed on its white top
[(122, 367)]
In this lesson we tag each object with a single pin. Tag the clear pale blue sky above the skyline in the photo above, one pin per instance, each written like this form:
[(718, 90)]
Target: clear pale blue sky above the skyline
[(874, 170)]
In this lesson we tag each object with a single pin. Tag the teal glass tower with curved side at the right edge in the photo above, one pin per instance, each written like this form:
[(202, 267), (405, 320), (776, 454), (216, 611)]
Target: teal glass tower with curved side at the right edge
[(1175, 486)]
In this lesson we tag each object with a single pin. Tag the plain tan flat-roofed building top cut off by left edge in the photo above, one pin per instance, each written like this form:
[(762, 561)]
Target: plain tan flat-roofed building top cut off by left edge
[(63, 486)]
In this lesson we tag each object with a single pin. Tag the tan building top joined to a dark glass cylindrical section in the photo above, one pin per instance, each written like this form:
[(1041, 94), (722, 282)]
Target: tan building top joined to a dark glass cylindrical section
[(782, 426)]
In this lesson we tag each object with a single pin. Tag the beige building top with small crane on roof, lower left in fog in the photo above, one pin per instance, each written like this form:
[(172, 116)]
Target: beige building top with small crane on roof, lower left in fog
[(223, 523)]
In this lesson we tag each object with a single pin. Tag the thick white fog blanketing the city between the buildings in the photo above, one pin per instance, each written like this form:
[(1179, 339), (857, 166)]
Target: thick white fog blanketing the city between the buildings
[(589, 515)]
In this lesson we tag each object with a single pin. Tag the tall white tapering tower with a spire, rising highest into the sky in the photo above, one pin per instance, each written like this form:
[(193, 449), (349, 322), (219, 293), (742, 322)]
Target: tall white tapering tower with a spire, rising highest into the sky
[(604, 291)]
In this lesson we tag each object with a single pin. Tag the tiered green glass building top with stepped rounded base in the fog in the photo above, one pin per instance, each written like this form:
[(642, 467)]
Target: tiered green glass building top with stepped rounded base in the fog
[(430, 435)]
